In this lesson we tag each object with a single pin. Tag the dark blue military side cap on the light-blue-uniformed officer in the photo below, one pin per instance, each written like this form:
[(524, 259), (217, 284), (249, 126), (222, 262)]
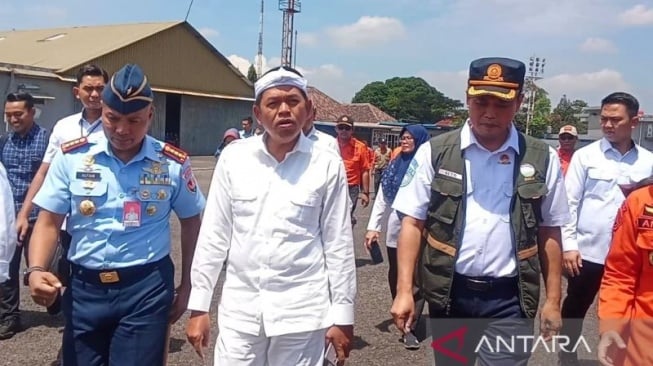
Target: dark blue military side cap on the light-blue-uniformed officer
[(128, 90)]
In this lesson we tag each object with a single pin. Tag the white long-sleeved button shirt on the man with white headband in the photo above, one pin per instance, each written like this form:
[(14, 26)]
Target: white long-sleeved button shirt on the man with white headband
[(287, 230)]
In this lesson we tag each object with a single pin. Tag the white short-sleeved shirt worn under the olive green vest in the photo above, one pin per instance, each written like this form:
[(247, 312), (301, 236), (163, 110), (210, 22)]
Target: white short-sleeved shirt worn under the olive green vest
[(486, 247)]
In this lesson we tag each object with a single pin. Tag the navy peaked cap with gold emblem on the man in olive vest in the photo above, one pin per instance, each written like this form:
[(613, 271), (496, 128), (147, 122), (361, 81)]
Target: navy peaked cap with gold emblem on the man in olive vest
[(496, 76)]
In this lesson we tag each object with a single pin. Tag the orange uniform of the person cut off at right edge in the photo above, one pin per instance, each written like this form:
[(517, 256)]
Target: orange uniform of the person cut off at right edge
[(626, 294)]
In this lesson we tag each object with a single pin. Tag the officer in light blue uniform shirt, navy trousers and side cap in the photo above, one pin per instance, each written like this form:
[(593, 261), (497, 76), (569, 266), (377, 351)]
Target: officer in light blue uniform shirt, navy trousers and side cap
[(119, 192)]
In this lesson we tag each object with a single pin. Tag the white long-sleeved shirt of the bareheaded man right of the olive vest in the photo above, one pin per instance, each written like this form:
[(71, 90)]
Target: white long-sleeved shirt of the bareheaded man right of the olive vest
[(592, 183)]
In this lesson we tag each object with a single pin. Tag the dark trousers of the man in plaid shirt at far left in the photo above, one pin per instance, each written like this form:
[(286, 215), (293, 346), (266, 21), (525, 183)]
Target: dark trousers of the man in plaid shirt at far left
[(10, 289)]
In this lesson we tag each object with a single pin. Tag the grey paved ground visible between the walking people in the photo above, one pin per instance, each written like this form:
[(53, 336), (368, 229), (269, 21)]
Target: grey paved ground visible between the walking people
[(376, 340)]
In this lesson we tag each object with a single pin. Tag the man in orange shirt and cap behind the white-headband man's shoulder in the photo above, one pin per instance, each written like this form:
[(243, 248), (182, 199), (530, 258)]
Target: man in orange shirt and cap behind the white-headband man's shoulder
[(356, 157)]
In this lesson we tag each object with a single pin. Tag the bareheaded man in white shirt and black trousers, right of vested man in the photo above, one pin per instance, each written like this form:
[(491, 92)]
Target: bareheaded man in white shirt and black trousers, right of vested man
[(597, 175)]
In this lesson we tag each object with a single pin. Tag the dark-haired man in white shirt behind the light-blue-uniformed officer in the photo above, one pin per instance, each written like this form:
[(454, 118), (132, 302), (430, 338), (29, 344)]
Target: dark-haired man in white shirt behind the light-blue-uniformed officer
[(87, 123)]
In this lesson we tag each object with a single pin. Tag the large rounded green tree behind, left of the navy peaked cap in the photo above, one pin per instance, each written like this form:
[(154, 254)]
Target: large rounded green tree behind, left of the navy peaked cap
[(408, 98)]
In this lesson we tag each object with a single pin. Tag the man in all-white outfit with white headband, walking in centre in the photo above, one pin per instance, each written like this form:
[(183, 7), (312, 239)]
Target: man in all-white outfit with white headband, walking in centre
[(279, 208)]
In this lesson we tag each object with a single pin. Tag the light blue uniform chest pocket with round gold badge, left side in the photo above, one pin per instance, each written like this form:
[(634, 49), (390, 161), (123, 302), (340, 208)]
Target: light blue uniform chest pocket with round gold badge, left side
[(93, 195)]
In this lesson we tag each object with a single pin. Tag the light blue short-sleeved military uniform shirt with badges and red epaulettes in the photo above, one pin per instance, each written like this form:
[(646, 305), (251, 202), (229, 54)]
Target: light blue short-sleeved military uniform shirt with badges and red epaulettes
[(92, 173)]
